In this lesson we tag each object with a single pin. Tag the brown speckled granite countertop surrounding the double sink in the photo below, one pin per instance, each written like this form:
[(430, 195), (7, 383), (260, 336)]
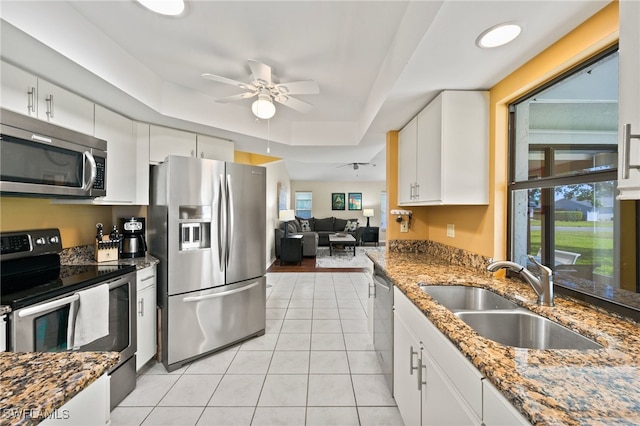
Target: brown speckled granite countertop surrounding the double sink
[(547, 386)]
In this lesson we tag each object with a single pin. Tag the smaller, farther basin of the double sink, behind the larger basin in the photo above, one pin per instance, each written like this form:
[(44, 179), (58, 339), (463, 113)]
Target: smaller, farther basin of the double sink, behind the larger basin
[(463, 298)]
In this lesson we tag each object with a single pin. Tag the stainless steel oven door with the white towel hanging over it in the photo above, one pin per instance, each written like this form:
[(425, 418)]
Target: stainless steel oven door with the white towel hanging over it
[(44, 327)]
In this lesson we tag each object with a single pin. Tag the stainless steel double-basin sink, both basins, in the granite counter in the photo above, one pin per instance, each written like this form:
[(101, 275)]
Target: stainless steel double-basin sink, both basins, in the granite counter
[(499, 319)]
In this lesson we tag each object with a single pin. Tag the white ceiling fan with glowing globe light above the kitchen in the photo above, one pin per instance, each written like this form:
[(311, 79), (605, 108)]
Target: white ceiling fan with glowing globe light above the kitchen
[(265, 86)]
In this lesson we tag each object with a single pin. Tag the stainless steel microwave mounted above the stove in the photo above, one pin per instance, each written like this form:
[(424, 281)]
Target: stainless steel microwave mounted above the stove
[(32, 163)]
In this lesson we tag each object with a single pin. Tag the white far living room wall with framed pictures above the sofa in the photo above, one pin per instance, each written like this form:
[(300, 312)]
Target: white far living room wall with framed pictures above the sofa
[(322, 191)]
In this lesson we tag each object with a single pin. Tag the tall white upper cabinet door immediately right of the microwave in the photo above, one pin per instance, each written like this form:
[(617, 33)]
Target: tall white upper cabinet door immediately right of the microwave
[(121, 156)]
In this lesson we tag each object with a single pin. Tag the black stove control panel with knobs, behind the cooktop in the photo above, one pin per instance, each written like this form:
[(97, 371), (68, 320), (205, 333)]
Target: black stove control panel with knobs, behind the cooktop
[(19, 244)]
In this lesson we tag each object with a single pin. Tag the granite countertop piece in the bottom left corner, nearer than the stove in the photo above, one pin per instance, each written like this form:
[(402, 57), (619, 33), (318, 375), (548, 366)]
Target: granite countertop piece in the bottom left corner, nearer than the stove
[(33, 384)]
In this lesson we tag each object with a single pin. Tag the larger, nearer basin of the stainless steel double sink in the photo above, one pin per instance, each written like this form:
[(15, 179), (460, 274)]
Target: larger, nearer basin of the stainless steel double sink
[(524, 329)]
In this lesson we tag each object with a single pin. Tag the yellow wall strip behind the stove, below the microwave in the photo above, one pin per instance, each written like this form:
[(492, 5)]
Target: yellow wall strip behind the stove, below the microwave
[(77, 223)]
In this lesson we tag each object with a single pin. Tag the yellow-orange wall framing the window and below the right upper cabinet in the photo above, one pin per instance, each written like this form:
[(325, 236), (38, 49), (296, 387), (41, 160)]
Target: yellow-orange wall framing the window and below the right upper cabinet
[(483, 229)]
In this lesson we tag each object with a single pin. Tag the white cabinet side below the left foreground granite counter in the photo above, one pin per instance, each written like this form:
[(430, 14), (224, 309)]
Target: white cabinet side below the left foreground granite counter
[(88, 408)]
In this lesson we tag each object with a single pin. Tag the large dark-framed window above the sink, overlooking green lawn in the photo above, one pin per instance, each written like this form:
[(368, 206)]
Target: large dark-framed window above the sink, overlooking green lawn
[(563, 153)]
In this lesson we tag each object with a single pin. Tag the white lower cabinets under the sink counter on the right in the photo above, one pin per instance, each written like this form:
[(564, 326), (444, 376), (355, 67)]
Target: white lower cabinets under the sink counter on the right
[(434, 384)]
